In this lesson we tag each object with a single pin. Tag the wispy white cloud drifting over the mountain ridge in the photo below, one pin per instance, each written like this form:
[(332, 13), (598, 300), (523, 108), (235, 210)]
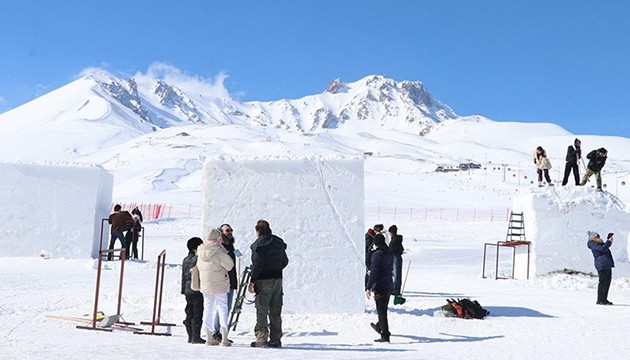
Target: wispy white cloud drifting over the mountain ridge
[(191, 84)]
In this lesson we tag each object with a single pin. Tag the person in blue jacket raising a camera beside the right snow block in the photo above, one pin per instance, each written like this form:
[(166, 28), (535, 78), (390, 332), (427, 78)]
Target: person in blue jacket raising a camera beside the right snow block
[(603, 263)]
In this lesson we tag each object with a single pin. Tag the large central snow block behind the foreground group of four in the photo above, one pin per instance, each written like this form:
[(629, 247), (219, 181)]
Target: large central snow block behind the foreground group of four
[(315, 205)]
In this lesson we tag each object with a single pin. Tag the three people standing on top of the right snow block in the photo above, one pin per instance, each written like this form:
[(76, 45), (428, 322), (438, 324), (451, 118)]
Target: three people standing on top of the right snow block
[(597, 160)]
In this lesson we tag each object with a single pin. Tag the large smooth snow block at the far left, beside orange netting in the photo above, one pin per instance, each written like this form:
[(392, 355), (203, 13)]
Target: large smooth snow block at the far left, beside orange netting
[(53, 208)]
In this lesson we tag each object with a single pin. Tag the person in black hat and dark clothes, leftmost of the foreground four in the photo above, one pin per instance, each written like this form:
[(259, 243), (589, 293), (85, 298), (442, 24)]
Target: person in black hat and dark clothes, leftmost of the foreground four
[(194, 299)]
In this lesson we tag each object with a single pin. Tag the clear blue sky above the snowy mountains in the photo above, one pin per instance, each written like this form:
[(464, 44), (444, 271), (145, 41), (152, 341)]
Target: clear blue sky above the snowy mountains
[(561, 61)]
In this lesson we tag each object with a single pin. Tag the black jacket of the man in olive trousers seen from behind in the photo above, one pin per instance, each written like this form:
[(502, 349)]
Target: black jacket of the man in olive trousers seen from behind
[(269, 258)]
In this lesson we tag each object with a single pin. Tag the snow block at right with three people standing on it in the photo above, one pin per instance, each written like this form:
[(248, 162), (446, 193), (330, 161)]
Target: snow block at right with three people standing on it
[(557, 222)]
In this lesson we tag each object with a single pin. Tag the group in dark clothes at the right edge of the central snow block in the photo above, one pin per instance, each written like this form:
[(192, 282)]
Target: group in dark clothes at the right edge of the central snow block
[(383, 275)]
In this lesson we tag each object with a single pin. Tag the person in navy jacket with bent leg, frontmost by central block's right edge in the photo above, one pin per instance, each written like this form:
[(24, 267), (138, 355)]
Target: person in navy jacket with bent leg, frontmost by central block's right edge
[(380, 285)]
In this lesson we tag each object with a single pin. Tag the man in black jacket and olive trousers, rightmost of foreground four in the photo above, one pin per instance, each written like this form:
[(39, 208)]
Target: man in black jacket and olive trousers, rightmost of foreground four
[(269, 258)]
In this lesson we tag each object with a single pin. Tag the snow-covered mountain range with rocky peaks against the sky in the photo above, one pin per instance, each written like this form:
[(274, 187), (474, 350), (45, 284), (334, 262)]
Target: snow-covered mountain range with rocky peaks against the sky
[(115, 110)]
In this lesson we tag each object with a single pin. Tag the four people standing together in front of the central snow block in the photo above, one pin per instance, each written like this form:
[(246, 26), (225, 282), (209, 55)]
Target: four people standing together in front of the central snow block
[(214, 258)]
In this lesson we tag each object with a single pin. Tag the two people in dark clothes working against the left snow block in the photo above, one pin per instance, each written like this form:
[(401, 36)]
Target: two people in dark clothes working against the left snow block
[(126, 228)]
